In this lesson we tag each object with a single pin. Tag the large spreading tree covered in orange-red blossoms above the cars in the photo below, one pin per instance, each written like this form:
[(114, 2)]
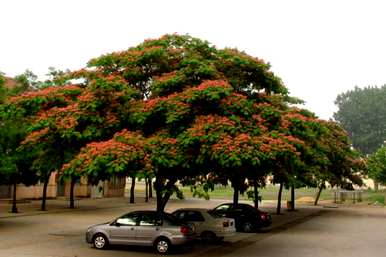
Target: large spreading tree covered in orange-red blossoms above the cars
[(174, 108)]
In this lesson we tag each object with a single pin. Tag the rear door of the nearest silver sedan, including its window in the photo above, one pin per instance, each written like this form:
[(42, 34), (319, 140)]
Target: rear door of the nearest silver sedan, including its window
[(149, 227)]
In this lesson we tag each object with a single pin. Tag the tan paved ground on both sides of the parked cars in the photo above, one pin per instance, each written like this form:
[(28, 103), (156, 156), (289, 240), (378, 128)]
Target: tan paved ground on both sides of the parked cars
[(350, 232)]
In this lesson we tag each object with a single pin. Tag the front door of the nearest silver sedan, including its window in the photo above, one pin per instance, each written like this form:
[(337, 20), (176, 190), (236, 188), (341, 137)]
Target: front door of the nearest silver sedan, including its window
[(123, 230)]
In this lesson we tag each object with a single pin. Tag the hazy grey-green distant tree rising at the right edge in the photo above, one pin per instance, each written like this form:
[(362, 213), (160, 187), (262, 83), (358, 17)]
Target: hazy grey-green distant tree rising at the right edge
[(362, 113)]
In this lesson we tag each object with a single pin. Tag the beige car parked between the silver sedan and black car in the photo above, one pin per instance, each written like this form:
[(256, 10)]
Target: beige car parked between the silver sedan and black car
[(209, 226)]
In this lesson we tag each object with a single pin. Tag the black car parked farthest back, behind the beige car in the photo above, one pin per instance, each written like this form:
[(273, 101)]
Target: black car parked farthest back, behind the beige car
[(247, 218)]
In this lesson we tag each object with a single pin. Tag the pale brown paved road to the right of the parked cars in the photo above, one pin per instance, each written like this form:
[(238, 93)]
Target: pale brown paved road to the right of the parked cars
[(343, 232)]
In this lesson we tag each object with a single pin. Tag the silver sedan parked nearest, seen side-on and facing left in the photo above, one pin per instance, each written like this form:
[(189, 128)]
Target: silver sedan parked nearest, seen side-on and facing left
[(144, 228)]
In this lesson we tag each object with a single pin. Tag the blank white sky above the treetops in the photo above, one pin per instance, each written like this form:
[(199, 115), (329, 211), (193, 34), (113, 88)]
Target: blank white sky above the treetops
[(318, 48)]
